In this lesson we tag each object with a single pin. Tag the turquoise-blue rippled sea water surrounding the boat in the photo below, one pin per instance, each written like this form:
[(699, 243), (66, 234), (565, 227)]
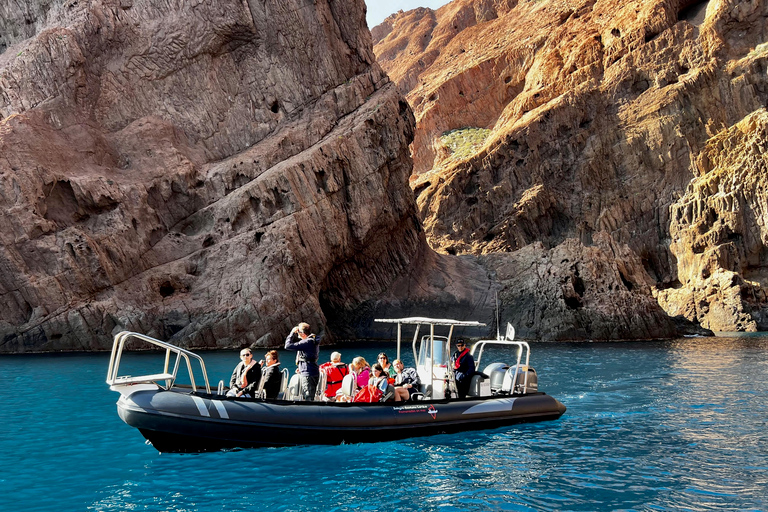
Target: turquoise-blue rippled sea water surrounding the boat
[(656, 426)]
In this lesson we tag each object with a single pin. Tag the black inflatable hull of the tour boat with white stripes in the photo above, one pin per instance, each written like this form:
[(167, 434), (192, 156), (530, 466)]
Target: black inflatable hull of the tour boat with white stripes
[(184, 422)]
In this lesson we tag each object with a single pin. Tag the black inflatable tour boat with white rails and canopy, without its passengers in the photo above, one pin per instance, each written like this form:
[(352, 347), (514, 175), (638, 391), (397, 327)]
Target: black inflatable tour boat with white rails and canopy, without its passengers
[(191, 417)]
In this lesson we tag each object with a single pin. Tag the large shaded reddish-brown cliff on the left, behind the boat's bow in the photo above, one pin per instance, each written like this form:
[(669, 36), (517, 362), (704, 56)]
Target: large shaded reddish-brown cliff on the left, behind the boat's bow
[(205, 172)]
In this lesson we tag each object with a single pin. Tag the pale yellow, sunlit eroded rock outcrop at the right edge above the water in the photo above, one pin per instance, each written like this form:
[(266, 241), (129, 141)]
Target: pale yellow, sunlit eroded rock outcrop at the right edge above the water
[(719, 233)]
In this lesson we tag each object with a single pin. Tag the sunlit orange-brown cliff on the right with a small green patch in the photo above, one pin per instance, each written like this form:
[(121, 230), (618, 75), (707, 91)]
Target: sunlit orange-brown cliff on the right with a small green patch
[(603, 158)]
